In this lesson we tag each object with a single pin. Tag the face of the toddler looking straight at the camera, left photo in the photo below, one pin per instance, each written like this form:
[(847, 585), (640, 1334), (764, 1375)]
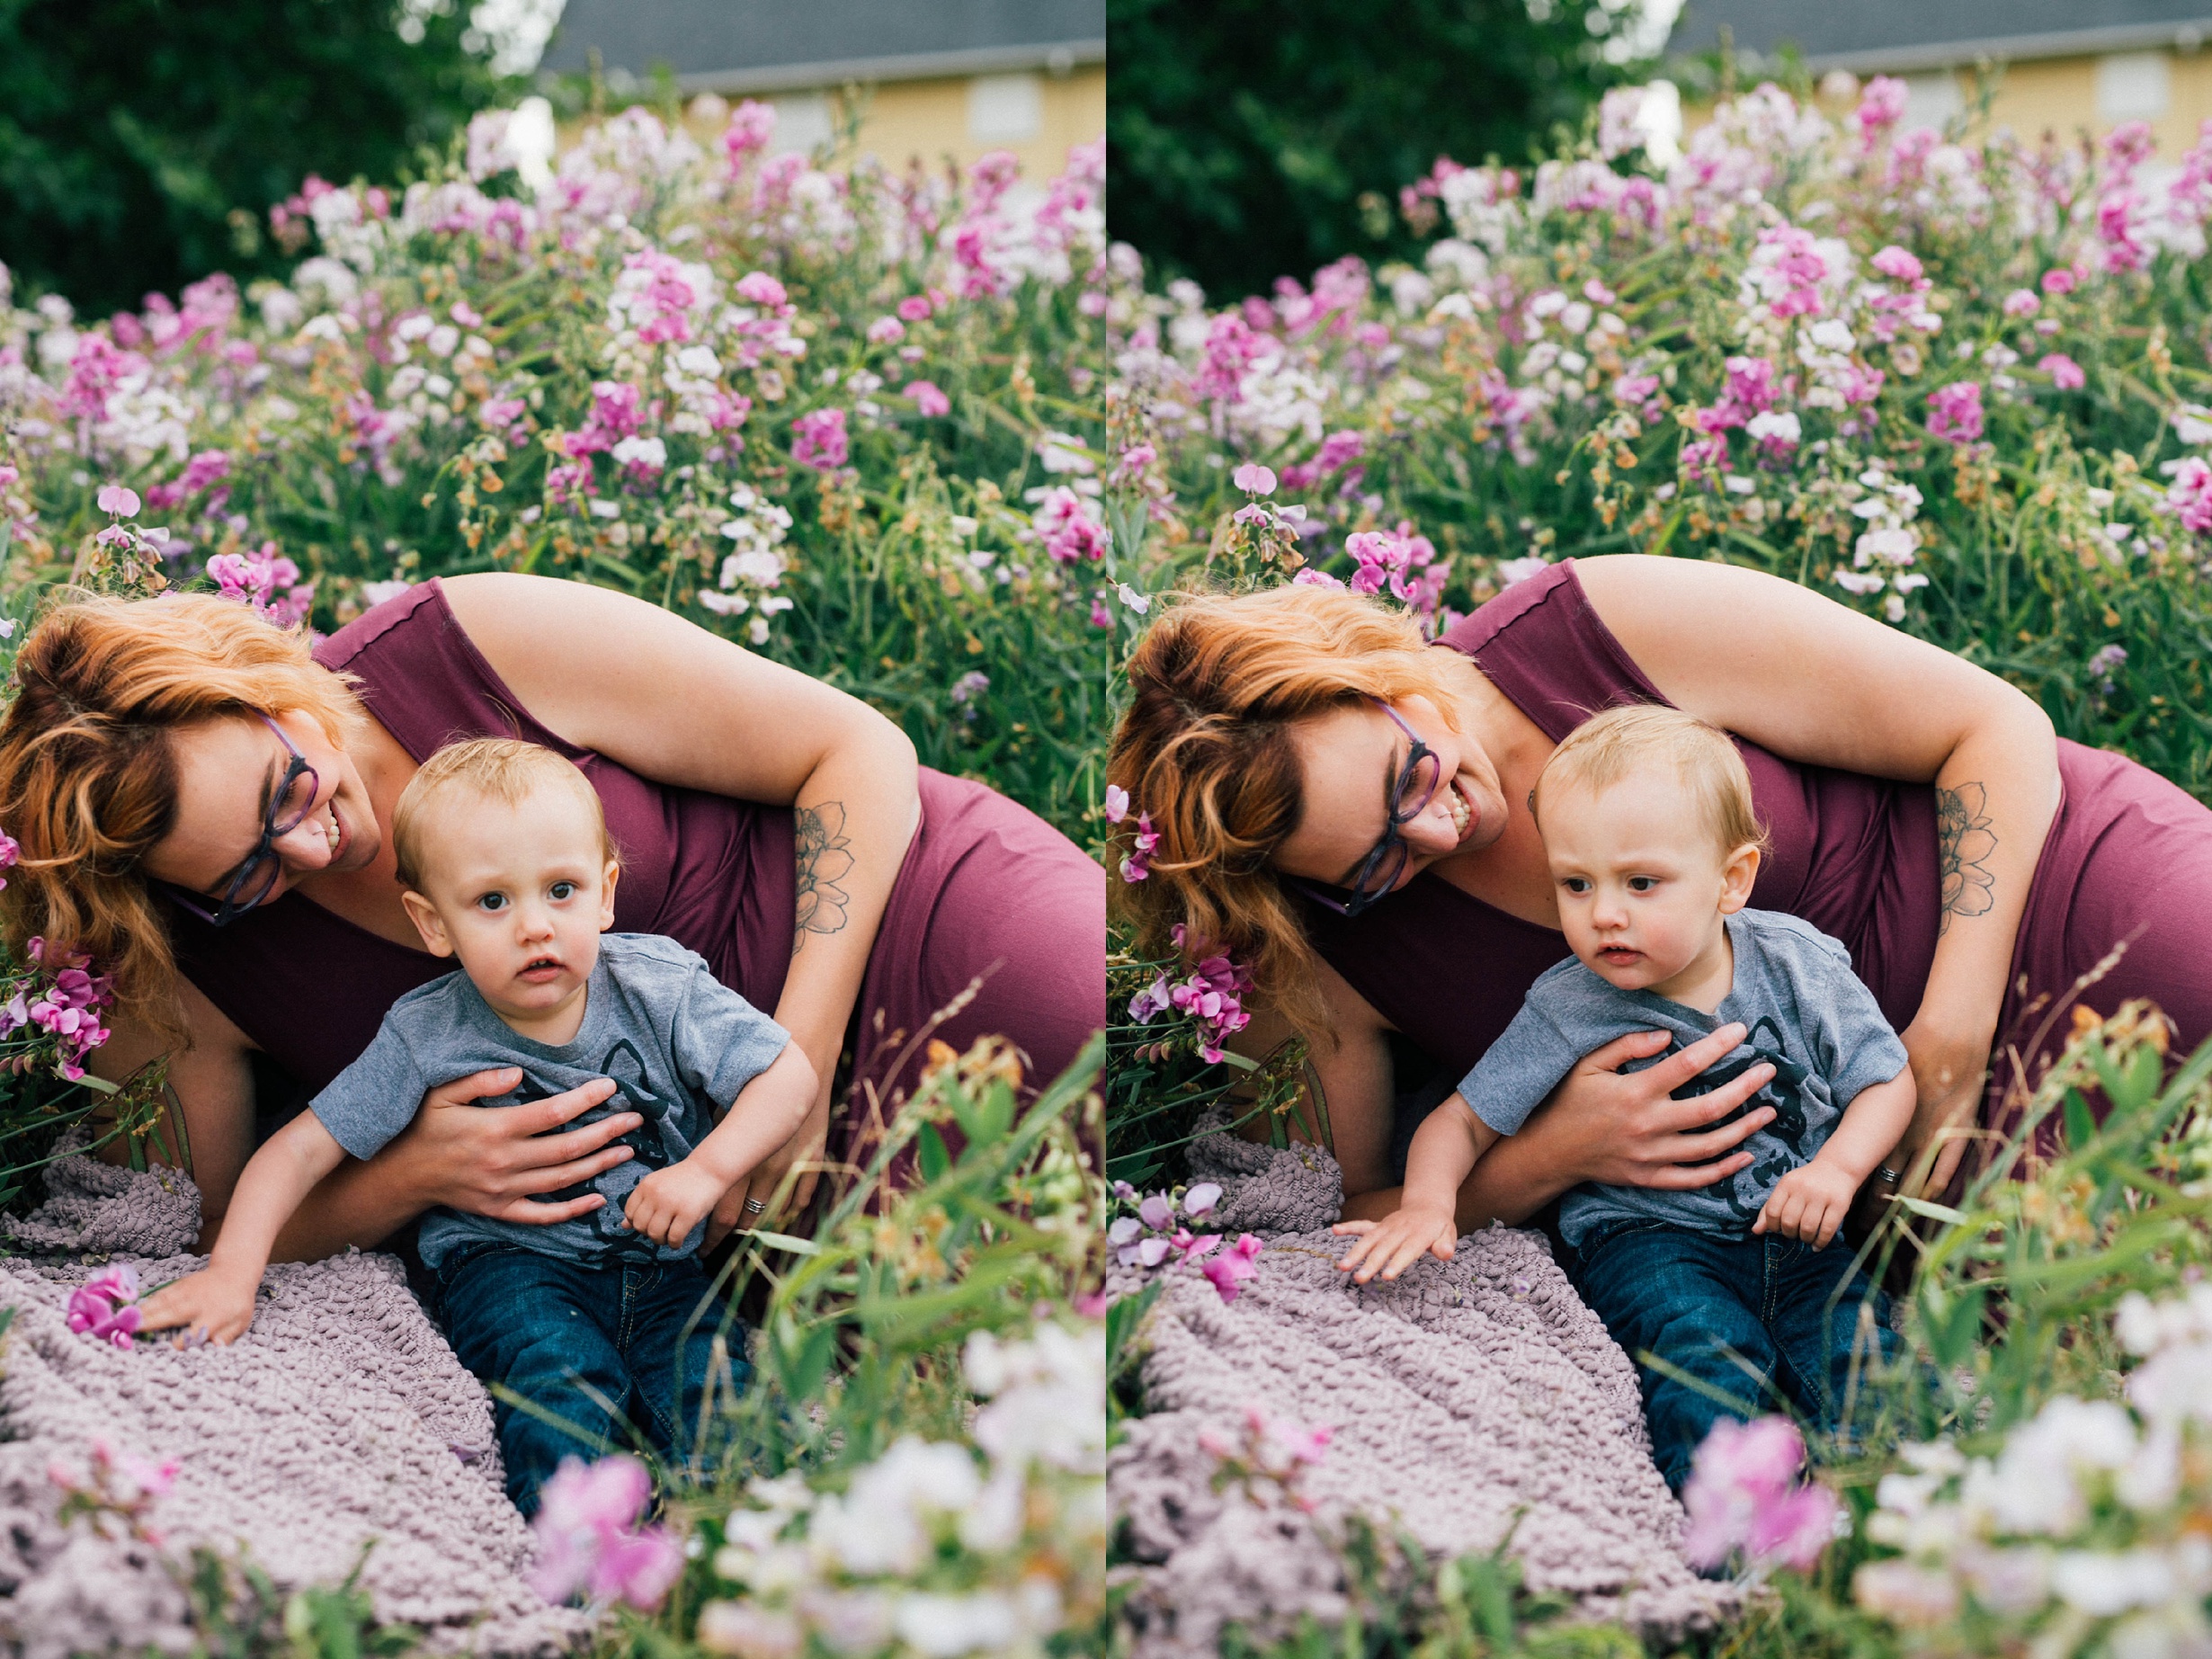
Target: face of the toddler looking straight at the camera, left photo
[(521, 895)]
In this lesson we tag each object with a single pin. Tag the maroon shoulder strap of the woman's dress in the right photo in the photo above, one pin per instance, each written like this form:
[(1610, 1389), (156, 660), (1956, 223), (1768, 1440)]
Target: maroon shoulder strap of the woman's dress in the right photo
[(1550, 654)]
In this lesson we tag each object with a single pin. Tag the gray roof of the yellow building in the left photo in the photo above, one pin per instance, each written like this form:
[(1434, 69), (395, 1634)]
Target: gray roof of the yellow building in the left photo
[(771, 45)]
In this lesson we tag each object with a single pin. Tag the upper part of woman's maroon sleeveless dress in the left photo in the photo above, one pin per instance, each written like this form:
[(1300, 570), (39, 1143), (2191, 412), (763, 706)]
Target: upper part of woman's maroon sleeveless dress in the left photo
[(311, 988)]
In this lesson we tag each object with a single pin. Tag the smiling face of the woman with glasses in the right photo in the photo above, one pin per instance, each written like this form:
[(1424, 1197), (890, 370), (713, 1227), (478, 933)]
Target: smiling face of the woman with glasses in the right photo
[(1353, 758)]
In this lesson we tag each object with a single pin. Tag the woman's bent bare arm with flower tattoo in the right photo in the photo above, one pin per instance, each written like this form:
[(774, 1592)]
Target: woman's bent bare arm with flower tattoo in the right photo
[(1822, 685)]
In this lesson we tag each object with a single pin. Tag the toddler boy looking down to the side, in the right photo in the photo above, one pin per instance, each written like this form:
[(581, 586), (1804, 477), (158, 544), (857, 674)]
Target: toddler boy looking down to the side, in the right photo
[(1651, 839)]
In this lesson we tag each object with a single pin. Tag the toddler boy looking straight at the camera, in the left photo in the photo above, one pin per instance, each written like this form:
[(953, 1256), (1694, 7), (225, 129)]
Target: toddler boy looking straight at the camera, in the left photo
[(508, 866)]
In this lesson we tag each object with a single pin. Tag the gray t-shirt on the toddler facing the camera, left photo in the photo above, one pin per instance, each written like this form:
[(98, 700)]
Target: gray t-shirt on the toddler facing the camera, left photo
[(656, 1021)]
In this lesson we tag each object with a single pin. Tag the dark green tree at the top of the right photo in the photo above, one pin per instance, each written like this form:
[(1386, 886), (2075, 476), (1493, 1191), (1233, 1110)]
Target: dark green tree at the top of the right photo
[(1251, 140)]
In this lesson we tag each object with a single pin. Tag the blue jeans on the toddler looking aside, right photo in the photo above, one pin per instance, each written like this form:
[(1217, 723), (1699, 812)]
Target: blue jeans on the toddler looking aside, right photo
[(1713, 1306)]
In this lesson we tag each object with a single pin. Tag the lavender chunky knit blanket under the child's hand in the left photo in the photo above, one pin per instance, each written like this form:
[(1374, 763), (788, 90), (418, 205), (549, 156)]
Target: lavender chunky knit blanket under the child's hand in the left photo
[(342, 1421)]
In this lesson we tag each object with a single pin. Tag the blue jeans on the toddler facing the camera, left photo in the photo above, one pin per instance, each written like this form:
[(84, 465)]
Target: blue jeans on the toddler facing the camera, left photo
[(596, 1346)]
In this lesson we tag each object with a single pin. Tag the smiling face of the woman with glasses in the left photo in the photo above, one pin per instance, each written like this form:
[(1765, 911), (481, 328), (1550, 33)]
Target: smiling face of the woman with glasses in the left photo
[(227, 773)]
